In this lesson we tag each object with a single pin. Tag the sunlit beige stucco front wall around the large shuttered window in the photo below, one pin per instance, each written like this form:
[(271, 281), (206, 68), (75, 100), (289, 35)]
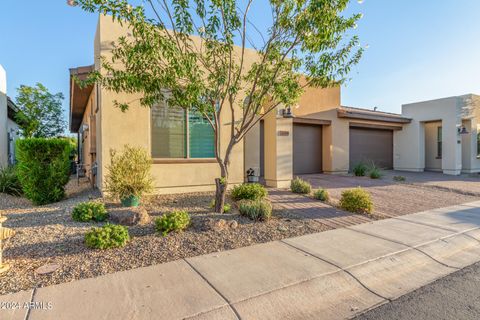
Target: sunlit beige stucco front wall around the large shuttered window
[(116, 128)]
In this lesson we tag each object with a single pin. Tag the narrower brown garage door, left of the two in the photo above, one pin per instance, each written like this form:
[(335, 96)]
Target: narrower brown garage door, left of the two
[(307, 149)]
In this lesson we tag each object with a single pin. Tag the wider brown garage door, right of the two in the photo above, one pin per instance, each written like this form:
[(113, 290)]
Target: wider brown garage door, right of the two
[(367, 145)]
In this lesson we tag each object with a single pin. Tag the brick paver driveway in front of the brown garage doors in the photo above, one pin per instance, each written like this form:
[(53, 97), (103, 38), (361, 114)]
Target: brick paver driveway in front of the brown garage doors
[(392, 198)]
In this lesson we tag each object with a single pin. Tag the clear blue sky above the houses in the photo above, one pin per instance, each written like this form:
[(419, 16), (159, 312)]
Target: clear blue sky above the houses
[(418, 50)]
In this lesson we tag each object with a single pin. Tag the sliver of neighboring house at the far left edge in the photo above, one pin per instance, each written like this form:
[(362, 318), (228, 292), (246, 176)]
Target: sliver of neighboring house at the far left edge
[(9, 130)]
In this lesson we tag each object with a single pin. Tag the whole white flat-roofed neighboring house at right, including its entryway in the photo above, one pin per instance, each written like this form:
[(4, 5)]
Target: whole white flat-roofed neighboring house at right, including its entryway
[(443, 136)]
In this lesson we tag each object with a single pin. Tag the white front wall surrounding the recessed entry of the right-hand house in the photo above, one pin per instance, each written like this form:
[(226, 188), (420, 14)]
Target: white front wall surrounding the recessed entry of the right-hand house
[(409, 147)]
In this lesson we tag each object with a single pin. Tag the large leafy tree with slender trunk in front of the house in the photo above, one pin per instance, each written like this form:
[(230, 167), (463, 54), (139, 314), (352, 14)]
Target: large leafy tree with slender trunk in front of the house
[(308, 40)]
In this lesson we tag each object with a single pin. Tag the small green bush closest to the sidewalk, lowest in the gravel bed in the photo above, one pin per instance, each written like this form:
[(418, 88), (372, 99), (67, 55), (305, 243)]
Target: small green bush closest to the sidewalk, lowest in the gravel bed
[(106, 237)]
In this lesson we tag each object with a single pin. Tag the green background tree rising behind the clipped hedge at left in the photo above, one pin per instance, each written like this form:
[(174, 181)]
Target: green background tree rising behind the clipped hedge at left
[(40, 112)]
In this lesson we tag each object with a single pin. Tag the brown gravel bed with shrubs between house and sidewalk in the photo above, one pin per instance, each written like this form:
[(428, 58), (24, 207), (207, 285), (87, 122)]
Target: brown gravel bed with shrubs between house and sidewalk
[(48, 235)]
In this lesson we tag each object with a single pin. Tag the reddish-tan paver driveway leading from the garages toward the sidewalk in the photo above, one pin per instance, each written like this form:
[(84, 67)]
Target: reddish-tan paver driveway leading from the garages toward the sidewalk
[(420, 191)]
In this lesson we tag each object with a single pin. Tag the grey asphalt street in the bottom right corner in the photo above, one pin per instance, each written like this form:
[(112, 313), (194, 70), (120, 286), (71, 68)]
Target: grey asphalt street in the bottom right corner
[(455, 297)]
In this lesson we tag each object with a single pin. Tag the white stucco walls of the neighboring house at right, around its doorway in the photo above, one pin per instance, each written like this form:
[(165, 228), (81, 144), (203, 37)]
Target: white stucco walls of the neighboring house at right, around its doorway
[(409, 147)]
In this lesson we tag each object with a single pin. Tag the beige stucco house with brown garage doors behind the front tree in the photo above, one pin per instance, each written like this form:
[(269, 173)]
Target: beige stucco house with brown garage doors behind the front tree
[(317, 135)]
